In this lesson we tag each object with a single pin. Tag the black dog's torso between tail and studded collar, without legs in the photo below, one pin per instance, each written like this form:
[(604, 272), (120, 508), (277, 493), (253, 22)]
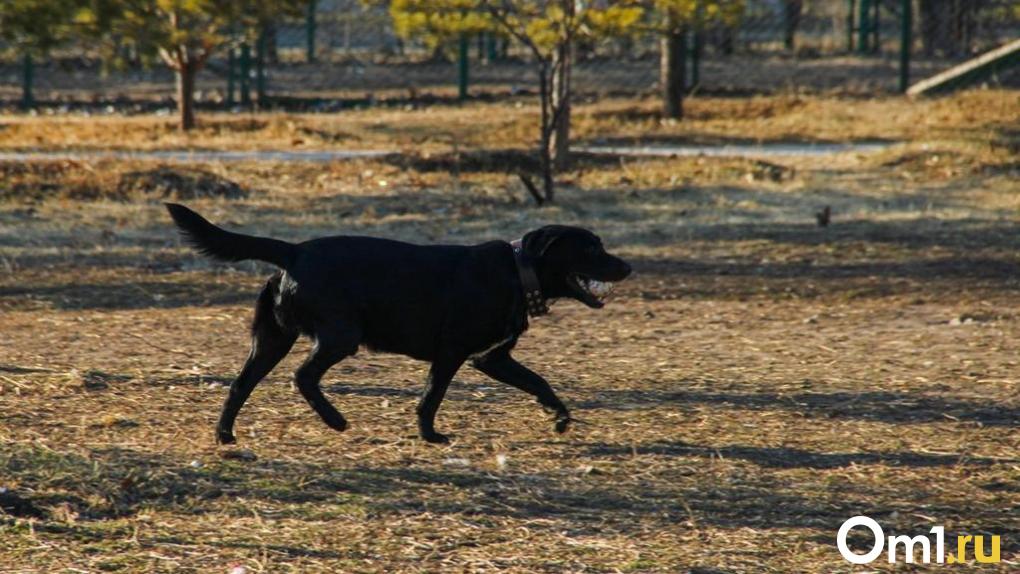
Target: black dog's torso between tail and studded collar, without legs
[(398, 294)]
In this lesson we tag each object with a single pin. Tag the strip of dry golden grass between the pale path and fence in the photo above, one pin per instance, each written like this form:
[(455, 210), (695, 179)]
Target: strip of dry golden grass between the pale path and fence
[(970, 117)]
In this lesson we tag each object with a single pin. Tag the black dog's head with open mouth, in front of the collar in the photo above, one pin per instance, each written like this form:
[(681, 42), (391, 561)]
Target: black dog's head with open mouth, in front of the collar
[(572, 263)]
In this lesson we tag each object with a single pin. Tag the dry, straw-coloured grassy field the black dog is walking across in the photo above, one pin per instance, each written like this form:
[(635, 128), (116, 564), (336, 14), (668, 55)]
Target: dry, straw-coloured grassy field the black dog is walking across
[(760, 381)]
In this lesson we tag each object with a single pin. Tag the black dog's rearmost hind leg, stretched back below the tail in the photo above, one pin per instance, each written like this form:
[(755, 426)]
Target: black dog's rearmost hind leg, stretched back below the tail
[(271, 344)]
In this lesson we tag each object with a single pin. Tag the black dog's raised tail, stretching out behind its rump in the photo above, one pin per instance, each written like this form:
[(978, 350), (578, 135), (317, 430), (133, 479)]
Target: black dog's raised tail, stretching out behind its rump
[(228, 246)]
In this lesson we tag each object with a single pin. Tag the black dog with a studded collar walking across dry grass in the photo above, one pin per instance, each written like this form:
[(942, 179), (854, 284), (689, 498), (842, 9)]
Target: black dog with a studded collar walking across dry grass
[(443, 304)]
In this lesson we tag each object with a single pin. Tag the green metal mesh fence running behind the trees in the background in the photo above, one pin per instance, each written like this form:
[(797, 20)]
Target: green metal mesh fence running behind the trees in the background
[(344, 54)]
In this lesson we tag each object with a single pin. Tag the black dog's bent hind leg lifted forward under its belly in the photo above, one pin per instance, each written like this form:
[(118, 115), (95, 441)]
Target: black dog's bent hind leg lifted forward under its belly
[(332, 346)]
